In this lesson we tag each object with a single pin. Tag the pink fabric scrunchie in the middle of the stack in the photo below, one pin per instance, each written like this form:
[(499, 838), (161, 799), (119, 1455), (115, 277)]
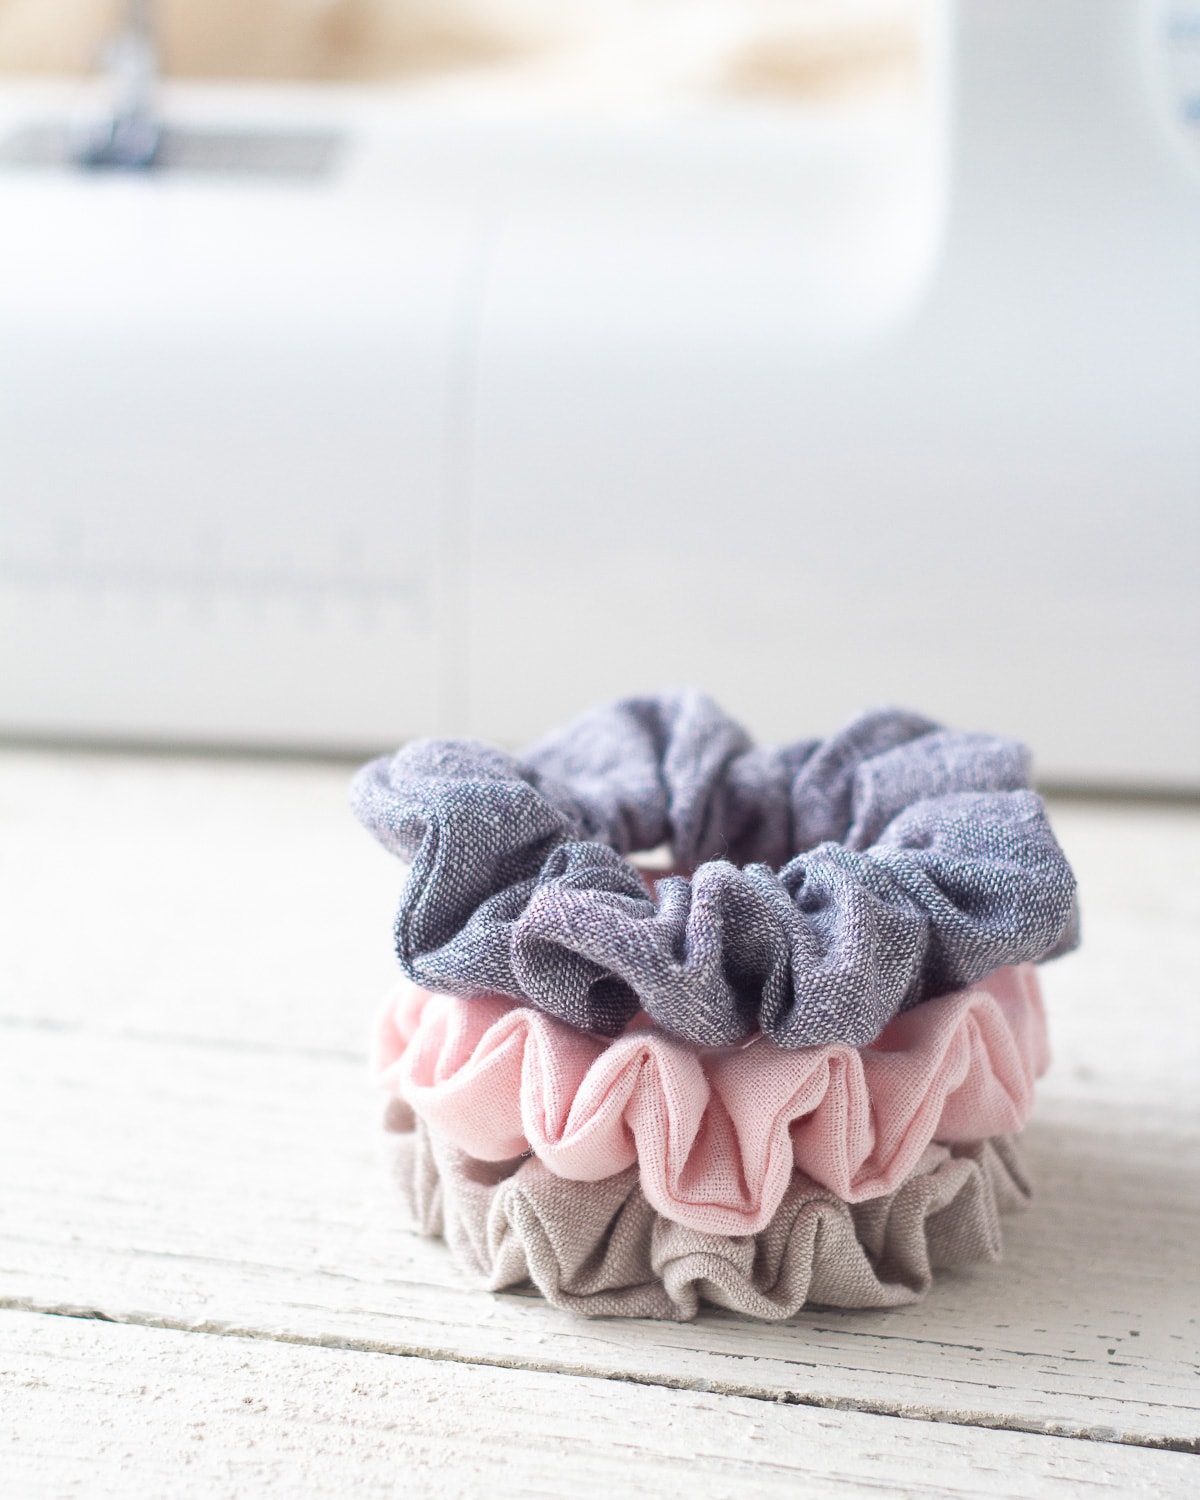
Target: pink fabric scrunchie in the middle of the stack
[(718, 1133)]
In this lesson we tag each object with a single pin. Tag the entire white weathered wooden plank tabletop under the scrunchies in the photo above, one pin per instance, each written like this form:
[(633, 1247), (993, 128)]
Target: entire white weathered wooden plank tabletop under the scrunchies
[(208, 1289)]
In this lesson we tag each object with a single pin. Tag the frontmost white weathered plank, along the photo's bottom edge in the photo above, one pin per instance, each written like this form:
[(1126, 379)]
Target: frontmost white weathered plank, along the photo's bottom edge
[(133, 1412)]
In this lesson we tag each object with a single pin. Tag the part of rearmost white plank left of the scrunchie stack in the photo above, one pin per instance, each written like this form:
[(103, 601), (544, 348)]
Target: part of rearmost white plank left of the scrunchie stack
[(194, 898)]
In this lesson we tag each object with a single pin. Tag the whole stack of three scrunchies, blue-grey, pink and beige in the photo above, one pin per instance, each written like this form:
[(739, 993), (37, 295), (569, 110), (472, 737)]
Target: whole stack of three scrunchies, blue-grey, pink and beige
[(788, 1072)]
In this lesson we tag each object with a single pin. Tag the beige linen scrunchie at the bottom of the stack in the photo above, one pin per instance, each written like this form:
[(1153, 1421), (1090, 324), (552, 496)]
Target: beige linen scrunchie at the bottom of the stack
[(602, 1250)]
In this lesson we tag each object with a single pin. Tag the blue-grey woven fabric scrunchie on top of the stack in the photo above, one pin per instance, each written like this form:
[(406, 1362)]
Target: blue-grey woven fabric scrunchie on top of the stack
[(836, 883)]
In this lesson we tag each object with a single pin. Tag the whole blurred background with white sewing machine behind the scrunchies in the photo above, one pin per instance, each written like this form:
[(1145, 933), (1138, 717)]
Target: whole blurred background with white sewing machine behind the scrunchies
[(379, 368)]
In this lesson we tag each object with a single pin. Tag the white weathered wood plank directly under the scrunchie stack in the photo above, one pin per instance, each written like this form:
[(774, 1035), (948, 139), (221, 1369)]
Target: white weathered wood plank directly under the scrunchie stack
[(217, 1187)]
